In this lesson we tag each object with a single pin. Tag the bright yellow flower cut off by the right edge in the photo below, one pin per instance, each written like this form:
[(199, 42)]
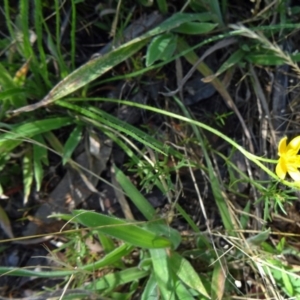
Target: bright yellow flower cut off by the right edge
[(289, 161)]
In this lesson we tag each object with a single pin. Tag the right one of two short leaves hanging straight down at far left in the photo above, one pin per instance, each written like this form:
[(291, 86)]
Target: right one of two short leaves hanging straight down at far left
[(39, 158)]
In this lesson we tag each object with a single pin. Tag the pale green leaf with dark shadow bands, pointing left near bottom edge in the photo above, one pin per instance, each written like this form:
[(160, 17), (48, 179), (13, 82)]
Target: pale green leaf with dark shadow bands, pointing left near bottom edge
[(117, 279)]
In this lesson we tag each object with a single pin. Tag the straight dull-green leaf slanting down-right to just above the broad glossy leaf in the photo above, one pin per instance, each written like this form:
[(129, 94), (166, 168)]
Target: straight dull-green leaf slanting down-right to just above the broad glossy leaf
[(135, 196)]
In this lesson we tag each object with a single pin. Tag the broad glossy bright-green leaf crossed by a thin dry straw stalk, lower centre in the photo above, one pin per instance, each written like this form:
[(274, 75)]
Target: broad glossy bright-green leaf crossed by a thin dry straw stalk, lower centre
[(121, 229)]
